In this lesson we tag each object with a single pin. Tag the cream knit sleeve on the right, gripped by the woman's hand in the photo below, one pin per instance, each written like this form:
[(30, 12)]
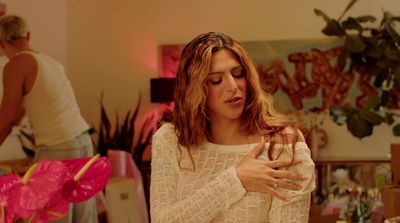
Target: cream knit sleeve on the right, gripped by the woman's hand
[(295, 211)]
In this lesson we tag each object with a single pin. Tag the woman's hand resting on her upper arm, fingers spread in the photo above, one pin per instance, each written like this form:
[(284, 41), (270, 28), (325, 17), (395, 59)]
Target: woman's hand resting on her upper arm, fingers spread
[(264, 176)]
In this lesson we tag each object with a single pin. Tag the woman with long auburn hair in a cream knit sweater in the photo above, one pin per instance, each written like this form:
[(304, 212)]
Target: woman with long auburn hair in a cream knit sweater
[(228, 156)]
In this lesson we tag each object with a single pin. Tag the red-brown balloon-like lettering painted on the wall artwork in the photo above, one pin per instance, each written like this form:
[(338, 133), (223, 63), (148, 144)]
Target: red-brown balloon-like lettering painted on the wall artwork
[(334, 85)]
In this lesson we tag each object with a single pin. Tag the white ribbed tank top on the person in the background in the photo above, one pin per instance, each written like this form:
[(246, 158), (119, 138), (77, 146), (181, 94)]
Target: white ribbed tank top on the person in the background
[(51, 105)]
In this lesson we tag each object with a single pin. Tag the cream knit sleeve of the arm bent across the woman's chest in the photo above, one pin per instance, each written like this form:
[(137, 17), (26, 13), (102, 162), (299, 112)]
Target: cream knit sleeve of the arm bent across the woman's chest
[(203, 204)]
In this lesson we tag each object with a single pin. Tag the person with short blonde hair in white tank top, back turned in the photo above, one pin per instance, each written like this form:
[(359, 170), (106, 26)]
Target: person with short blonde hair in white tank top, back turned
[(36, 84)]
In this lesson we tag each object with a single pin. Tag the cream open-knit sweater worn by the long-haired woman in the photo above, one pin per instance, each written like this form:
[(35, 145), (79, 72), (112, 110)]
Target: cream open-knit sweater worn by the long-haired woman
[(212, 192)]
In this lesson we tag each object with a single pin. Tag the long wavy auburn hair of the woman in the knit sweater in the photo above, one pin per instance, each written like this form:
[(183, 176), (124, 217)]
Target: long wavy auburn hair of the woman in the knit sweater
[(190, 117)]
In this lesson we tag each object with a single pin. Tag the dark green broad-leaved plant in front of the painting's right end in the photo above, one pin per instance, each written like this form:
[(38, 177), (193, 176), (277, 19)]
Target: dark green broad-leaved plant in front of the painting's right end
[(373, 52)]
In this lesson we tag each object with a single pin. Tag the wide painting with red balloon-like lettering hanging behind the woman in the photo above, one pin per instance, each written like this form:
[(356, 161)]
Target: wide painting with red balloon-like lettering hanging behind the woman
[(307, 71)]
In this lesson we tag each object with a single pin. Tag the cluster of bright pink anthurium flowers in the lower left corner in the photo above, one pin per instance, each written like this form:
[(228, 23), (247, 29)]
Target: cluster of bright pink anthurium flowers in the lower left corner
[(46, 190)]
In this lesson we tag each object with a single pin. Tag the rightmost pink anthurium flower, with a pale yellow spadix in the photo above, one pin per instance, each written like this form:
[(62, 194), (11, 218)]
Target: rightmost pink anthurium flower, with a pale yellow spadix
[(90, 175)]
